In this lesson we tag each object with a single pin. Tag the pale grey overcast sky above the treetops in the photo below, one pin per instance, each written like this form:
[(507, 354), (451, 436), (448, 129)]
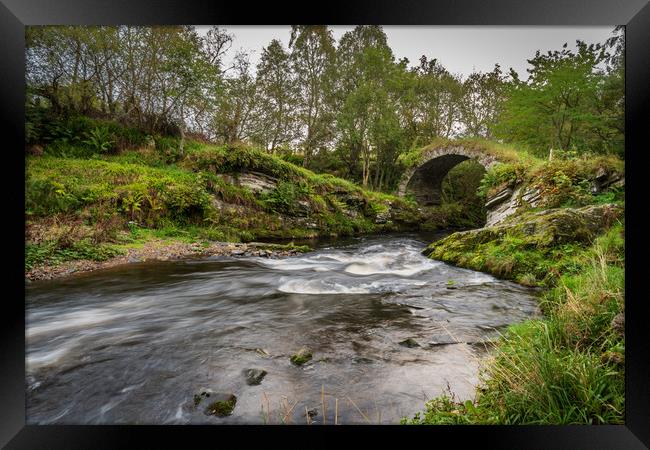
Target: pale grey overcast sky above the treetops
[(460, 50)]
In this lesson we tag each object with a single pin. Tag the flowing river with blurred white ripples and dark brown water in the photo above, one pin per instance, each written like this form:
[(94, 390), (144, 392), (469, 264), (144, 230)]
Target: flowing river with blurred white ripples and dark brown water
[(134, 344)]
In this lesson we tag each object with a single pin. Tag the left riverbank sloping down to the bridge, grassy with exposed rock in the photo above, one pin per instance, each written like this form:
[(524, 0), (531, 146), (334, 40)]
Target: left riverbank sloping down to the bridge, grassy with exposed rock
[(95, 188)]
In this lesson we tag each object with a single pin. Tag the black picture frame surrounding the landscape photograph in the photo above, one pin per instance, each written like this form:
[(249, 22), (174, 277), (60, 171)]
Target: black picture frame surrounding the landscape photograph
[(16, 14)]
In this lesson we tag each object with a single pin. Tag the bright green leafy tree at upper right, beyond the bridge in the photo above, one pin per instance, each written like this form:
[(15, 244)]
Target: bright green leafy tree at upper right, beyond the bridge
[(557, 107)]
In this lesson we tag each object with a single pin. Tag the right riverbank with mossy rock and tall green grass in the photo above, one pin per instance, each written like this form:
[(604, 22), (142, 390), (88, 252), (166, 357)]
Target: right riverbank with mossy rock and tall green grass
[(569, 367)]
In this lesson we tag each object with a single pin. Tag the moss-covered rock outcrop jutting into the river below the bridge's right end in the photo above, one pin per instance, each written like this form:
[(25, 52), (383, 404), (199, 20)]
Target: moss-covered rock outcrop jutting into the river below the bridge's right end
[(532, 247)]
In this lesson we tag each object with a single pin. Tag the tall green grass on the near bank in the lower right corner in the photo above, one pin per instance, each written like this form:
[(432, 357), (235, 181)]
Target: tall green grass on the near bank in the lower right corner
[(564, 369)]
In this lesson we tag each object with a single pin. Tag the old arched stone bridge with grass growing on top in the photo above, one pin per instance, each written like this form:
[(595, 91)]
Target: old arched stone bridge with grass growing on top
[(425, 179)]
